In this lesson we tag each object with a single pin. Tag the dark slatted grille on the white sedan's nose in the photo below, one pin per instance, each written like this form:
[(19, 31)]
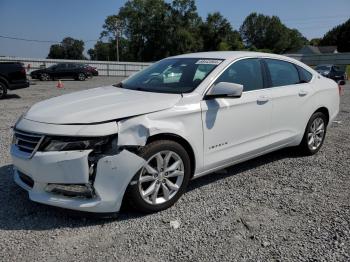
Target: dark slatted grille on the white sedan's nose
[(27, 142)]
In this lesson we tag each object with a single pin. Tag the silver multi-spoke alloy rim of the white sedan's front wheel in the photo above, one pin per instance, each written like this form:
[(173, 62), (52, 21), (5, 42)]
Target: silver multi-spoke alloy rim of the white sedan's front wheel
[(161, 177)]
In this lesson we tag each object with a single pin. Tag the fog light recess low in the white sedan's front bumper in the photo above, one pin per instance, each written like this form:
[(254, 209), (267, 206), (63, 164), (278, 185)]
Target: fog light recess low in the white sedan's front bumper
[(71, 190)]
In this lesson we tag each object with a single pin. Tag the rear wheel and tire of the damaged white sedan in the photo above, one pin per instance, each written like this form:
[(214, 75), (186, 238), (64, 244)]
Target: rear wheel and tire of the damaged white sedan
[(315, 131)]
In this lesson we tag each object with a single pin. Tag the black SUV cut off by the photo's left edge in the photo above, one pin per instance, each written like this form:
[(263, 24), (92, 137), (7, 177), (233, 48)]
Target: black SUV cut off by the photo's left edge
[(12, 76)]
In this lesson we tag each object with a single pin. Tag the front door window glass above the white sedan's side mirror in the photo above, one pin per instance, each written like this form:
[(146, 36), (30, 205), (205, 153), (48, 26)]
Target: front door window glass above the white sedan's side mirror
[(245, 72)]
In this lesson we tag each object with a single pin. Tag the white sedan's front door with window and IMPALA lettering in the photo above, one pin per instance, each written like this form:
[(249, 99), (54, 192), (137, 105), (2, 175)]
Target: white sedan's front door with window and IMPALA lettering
[(235, 128)]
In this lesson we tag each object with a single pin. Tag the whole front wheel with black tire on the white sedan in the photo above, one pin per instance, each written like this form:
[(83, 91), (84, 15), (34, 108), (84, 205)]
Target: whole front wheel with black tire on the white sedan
[(168, 192)]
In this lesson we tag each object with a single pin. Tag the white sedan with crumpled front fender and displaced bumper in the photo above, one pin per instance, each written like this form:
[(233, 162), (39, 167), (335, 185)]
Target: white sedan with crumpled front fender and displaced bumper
[(145, 138)]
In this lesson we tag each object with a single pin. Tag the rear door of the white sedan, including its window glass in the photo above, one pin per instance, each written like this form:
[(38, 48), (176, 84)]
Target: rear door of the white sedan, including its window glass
[(290, 92)]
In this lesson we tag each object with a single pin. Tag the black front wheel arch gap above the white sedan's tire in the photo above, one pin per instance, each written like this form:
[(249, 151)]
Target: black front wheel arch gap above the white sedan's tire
[(182, 141)]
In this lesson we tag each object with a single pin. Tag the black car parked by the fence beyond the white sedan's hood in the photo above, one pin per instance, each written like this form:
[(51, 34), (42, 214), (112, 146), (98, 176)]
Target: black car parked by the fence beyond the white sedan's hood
[(61, 71)]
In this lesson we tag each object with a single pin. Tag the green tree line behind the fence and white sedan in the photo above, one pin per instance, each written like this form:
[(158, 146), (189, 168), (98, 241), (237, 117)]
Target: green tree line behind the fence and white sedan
[(153, 29)]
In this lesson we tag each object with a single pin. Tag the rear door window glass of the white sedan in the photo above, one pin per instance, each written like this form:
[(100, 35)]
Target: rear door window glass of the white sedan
[(282, 73)]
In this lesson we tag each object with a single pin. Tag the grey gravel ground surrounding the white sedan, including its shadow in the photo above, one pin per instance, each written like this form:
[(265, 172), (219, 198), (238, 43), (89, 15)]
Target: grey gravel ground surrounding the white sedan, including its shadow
[(280, 207)]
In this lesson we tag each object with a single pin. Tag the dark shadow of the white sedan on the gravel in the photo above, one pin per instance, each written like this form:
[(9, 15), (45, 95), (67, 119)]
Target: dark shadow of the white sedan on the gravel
[(17, 212)]
